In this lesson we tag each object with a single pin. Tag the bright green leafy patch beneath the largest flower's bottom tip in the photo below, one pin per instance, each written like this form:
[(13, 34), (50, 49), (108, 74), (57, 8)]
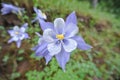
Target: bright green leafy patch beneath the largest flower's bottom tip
[(75, 70)]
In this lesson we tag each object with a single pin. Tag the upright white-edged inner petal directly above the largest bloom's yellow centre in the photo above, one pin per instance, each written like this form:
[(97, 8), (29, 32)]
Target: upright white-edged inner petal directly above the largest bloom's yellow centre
[(59, 25)]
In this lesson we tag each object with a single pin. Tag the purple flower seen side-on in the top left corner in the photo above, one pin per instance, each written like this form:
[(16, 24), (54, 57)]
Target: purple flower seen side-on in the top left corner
[(8, 8)]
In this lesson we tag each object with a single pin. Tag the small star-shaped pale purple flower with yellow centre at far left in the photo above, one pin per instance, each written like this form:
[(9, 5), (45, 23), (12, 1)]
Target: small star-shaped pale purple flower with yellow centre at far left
[(18, 34)]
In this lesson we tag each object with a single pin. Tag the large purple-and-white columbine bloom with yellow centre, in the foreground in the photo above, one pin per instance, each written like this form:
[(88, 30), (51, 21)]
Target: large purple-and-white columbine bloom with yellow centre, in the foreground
[(60, 39)]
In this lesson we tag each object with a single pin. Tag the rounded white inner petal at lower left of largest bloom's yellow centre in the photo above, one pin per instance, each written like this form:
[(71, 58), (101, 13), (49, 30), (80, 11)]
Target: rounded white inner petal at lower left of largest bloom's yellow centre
[(54, 48)]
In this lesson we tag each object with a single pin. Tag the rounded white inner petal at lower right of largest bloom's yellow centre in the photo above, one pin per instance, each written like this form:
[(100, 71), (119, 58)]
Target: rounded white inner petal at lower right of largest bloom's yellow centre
[(69, 45)]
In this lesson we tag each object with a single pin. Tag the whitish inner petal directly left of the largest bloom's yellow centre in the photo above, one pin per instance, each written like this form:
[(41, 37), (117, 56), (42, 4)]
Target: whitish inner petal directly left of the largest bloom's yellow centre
[(48, 35)]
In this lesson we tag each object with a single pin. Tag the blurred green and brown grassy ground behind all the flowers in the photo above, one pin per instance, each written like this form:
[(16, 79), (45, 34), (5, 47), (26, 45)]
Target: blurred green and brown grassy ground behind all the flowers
[(99, 24)]
